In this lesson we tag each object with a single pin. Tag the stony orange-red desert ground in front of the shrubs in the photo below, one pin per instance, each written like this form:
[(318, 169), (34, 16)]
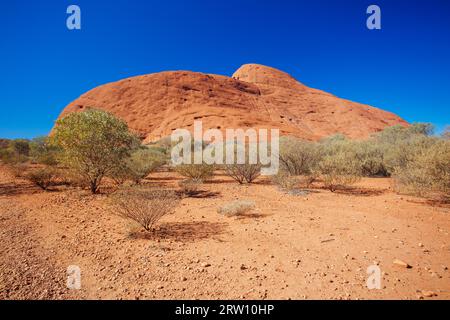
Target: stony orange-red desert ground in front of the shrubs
[(315, 246)]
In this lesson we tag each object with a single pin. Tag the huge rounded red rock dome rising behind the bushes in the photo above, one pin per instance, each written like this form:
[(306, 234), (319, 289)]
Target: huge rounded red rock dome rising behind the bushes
[(257, 96)]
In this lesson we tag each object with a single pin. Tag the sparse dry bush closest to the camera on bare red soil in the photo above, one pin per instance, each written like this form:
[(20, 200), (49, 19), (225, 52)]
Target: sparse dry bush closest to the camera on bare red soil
[(143, 205)]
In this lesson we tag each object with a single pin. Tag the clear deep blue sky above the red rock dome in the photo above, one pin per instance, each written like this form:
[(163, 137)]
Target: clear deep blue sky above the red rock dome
[(403, 68)]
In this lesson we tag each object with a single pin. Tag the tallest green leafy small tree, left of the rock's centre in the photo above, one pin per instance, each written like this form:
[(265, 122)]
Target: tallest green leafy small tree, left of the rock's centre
[(93, 143)]
